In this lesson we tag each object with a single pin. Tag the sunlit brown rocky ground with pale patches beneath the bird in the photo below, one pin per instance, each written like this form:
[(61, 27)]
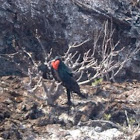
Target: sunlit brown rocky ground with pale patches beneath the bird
[(111, 111)]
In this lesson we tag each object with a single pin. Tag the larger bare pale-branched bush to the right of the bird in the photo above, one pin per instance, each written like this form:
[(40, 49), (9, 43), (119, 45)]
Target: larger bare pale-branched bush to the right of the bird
[(105, 65)]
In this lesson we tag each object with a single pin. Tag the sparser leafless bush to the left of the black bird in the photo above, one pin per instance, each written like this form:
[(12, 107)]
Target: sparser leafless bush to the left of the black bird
[(35, 85)]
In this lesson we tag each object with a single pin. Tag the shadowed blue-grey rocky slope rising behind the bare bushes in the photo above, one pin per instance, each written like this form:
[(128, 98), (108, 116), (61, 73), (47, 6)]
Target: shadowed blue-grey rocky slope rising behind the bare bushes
[(64, 22)]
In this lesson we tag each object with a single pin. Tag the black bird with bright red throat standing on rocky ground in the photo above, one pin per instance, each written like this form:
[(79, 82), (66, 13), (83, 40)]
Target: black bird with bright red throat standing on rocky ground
[(63, 74)]
